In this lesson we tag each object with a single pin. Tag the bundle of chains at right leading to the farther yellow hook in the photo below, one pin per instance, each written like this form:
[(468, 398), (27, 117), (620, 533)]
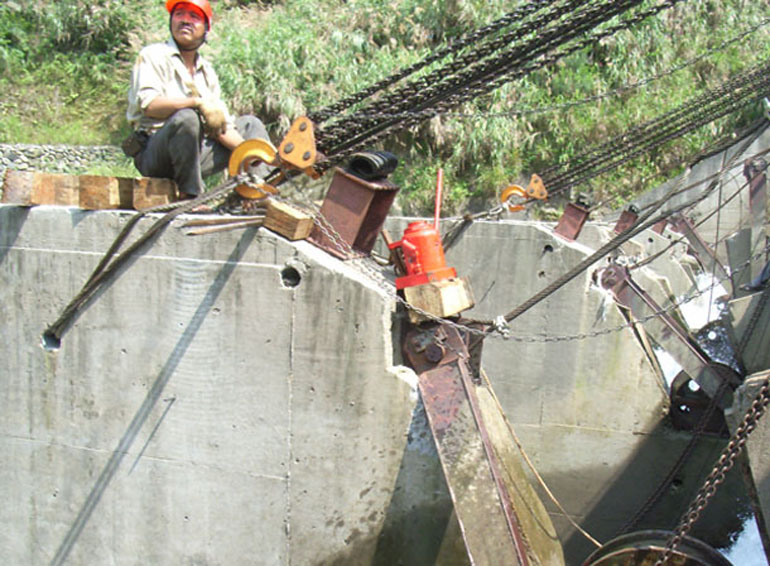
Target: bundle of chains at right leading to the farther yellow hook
[(715, 100)]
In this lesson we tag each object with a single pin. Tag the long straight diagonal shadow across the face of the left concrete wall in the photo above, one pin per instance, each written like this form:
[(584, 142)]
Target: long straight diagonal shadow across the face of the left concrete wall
[(151, 400)]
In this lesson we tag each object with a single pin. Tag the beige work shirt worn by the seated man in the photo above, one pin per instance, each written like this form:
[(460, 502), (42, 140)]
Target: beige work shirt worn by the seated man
[(160, 71)]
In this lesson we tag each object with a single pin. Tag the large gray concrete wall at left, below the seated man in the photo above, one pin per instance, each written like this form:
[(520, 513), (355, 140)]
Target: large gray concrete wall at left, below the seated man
[(199, 411)]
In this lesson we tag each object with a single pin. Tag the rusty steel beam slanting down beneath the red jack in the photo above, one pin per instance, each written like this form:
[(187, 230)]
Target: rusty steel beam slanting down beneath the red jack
[(501, 519)]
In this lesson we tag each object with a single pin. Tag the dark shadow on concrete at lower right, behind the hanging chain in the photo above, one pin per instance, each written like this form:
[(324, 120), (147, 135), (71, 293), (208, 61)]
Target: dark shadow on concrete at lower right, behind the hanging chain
[(633, 485)]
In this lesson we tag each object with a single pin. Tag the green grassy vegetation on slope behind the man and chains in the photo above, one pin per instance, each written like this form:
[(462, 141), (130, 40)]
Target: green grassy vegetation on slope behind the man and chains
[(64, 68)]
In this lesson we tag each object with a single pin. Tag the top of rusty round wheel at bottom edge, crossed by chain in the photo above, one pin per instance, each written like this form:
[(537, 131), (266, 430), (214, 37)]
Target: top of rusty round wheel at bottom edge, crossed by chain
[(645, 548)]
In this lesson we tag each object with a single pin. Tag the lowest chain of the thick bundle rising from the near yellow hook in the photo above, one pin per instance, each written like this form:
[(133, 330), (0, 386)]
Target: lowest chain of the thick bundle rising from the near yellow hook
[(469, 94)]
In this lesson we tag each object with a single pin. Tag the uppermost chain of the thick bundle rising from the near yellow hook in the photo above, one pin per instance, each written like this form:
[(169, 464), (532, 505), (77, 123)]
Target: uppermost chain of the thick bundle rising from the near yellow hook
[(450, 49)]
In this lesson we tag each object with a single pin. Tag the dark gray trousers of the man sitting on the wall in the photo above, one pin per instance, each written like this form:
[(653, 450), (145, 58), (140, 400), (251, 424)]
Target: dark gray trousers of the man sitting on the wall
[(181, 152)]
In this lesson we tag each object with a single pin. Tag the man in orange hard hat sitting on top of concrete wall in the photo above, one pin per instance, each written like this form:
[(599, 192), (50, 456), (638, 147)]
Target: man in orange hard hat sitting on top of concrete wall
[(182, 128)]
